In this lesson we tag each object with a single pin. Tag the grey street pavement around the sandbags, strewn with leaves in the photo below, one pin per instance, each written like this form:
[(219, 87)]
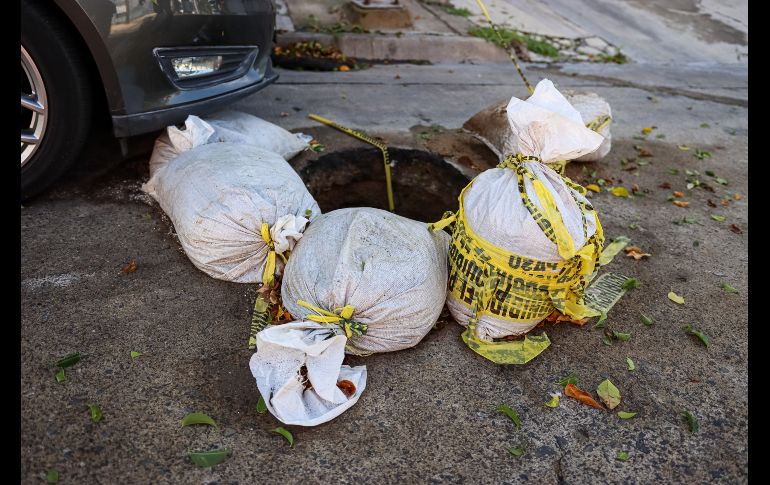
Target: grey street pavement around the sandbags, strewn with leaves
[(428, 413)]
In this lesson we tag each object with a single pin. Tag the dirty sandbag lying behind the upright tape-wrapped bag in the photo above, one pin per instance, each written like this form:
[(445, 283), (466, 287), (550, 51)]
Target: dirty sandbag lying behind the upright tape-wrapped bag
[(491, 126)]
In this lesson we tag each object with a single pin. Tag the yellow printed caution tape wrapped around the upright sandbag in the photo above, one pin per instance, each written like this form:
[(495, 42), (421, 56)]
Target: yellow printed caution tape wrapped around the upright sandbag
[(490, 280)]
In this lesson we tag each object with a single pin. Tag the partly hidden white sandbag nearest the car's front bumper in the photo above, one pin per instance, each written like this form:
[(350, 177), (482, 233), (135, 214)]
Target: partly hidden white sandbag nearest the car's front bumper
[(229, 127)]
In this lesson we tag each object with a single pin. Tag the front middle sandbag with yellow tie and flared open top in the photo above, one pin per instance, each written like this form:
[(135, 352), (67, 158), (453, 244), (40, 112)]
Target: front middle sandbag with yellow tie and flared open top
[(360, 281)]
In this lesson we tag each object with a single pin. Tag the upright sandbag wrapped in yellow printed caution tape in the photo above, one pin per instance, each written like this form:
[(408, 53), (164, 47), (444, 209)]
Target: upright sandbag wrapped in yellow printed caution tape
[(525, 239)]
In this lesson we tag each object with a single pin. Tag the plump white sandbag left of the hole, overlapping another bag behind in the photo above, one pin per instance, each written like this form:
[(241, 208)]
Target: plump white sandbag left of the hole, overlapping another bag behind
[(218, 195)]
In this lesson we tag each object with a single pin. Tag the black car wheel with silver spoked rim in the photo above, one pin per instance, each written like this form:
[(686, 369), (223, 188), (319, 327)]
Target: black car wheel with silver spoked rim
[(55, 100)]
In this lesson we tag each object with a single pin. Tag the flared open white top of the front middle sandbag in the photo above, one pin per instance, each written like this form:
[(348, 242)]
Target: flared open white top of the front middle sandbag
[(282, 350)]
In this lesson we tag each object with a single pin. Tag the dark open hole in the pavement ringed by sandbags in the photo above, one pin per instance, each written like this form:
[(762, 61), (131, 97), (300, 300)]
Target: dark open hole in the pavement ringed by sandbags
[(424, 184)]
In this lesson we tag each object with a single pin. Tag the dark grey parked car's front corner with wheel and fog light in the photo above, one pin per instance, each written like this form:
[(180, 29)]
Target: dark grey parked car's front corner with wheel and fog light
[(150, 62)]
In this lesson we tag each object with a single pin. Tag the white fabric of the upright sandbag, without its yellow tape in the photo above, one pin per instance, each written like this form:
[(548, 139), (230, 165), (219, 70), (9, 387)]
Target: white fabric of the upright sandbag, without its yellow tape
[(547, 127)]
